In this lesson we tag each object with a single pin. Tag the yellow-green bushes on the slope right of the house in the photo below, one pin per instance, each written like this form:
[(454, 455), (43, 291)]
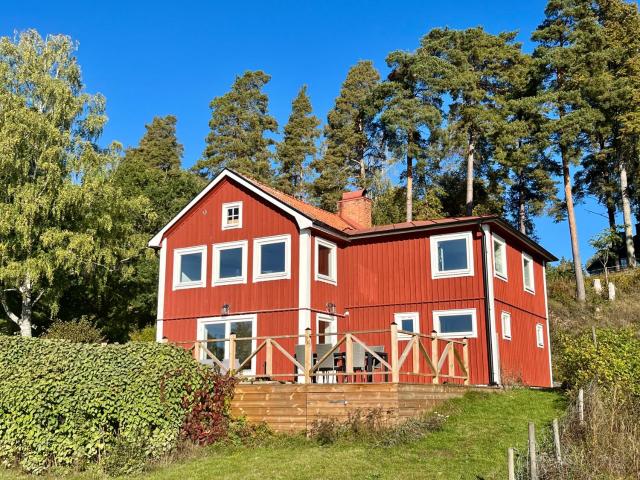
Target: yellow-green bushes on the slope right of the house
[(614, 362)]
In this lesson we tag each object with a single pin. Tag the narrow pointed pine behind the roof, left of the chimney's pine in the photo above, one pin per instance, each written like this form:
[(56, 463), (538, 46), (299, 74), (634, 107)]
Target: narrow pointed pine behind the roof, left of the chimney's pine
[(298, 145)]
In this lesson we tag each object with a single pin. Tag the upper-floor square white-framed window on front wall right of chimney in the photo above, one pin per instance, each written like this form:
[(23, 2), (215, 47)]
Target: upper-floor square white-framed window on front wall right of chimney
[(452, 255)]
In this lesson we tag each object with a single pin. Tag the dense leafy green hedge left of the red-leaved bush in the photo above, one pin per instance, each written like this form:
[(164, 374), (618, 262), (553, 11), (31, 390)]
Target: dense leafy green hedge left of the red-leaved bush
[(64, 403)]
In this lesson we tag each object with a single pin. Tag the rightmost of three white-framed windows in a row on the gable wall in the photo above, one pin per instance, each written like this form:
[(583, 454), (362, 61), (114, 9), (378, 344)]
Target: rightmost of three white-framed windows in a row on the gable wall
[(272, 258)]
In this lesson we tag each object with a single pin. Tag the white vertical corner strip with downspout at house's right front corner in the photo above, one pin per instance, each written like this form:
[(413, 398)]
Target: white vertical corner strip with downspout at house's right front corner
[(493, 355)]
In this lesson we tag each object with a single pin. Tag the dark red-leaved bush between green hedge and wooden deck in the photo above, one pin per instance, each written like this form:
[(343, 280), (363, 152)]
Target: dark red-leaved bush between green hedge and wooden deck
[(207, 407)]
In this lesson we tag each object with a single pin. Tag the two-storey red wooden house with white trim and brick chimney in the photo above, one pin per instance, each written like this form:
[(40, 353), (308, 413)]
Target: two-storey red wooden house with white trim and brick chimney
[(243, 258)]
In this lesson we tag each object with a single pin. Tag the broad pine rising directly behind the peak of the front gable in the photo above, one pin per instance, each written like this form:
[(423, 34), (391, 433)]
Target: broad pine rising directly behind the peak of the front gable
[(239, 123)]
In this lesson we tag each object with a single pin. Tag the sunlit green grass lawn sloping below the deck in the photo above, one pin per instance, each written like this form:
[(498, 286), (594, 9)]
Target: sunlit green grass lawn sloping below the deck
[(471, 445)]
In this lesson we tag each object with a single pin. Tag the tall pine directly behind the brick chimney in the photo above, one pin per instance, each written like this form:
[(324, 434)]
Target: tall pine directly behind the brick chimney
[(353, 149)]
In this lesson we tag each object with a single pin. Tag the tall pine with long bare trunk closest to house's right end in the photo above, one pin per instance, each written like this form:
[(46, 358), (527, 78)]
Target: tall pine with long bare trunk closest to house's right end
[(559, 59)]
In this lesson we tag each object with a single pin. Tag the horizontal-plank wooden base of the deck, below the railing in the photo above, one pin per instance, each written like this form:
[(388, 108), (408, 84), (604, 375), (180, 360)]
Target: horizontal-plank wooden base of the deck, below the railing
[(295, 407)]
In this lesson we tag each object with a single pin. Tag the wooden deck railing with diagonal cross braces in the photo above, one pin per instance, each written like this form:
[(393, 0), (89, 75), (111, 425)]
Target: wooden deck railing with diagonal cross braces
[(430, 351)]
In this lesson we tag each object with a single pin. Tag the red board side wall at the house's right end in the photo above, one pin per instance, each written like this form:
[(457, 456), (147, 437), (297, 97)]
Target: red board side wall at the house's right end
[(520, 358)]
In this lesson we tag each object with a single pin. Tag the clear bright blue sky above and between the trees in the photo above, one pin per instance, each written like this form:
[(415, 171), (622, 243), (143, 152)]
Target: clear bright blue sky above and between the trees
[(159, 58)]
